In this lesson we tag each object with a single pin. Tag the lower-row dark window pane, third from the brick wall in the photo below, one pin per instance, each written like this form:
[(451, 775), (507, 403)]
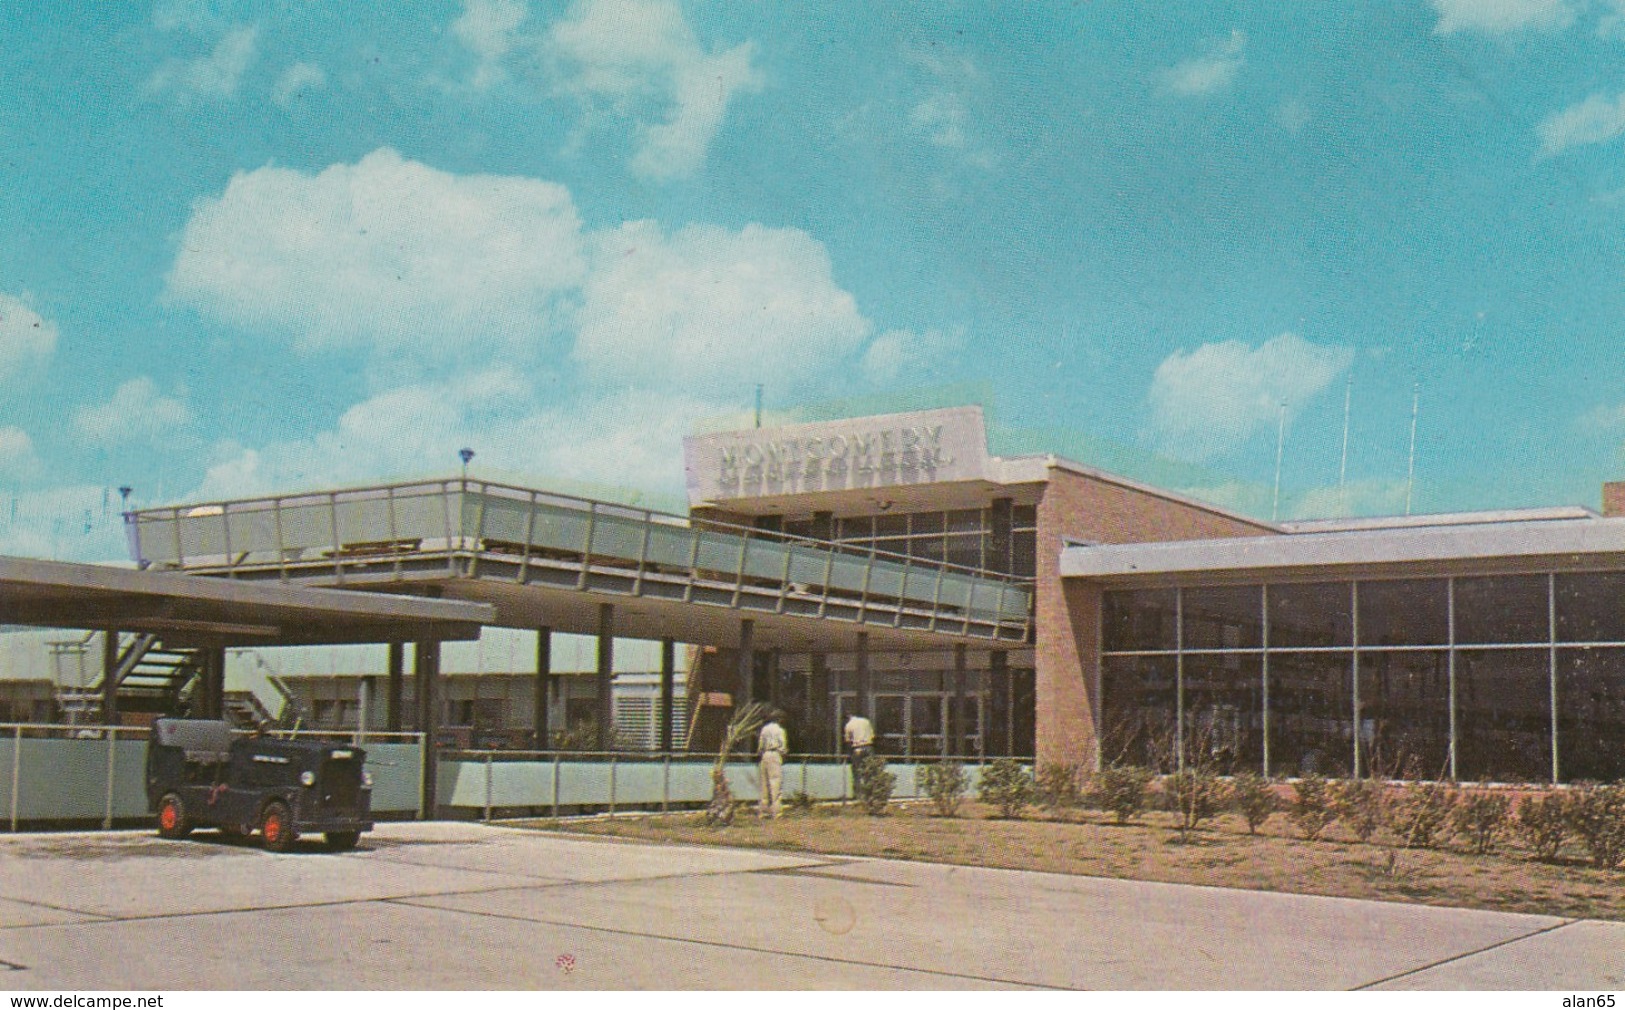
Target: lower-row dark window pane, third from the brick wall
[(1312, 714)]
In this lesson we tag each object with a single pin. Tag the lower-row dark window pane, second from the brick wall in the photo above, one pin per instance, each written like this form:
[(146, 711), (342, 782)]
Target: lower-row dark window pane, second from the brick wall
[(1224, 712)]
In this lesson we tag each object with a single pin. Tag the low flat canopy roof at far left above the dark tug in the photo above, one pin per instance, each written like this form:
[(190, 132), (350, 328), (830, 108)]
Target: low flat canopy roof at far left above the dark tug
[(219, 611)]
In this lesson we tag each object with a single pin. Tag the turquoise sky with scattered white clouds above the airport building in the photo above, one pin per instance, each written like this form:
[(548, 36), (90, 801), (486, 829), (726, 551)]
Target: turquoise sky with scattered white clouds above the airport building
[(290, 244)]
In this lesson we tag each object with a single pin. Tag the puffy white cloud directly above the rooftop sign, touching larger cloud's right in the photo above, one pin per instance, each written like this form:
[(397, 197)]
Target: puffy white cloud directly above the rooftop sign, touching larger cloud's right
[(706, 301)]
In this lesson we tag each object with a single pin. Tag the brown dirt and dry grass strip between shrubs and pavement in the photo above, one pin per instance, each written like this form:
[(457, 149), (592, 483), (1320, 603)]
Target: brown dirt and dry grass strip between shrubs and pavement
[(1223, 855)]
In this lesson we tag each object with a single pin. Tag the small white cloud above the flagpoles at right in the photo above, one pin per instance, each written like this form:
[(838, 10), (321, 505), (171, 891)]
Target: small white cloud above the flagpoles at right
[(1213, 399)]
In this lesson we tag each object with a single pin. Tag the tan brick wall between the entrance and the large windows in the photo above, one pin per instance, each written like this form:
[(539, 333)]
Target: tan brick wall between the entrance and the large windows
[(1068, 618)]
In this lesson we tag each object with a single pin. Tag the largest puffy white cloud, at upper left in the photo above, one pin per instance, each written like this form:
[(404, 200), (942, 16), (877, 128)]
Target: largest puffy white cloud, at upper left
[(388, 254)]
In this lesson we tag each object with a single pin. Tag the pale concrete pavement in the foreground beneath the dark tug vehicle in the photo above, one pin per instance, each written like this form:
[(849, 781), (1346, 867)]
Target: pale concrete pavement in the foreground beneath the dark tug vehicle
[(469, 907)]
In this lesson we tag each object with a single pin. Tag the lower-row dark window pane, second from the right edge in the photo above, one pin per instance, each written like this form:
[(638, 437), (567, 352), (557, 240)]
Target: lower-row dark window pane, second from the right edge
[(1504, 723)]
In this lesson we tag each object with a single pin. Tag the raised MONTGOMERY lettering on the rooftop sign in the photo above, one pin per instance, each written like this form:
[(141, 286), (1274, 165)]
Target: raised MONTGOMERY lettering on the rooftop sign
[(882, 452)]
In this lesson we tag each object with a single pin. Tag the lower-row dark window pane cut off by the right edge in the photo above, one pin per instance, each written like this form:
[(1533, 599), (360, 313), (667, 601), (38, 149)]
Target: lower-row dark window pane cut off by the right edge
[(1592, 715)]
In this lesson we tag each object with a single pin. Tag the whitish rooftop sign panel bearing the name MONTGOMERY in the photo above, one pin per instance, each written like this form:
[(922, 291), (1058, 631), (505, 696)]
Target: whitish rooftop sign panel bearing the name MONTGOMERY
[(922, 447)]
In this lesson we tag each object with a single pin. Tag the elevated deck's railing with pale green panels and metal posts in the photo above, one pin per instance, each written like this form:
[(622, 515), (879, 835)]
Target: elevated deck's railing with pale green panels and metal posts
[(480, 530)]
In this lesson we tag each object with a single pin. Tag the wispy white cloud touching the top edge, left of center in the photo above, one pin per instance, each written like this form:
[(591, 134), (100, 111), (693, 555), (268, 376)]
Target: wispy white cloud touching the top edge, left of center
[(643, 59)]
